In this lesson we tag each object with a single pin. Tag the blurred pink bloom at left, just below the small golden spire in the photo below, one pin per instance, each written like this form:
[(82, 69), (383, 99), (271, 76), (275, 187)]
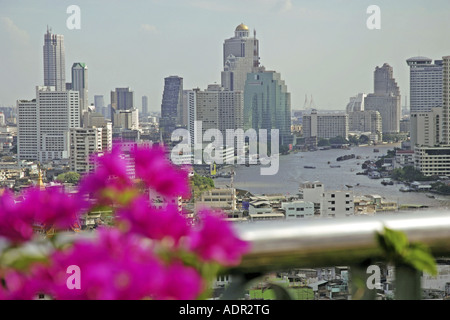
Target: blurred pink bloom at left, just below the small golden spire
[(52, 207)]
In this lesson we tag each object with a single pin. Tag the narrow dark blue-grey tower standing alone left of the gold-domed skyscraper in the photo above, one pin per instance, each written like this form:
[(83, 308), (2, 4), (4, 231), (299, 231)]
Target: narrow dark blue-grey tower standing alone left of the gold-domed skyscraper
[(171, 107)]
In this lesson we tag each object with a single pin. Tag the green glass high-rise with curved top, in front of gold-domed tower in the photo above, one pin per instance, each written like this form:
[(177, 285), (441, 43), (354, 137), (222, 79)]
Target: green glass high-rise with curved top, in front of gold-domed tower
[(267, 104)]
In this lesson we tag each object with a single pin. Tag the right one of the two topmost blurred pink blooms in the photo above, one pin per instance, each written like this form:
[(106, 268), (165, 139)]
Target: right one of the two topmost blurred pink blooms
[(155, 170)]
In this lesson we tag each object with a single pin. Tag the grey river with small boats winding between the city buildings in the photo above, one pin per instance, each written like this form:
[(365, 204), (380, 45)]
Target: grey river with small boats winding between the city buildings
[(292, 173)]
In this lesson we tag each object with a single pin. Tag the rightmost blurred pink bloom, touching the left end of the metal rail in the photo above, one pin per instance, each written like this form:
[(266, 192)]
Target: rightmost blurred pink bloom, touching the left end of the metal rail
[(215, 240)]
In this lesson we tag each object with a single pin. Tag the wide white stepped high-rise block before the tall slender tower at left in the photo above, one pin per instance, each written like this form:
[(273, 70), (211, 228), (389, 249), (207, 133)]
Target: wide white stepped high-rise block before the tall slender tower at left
[(53, 113)]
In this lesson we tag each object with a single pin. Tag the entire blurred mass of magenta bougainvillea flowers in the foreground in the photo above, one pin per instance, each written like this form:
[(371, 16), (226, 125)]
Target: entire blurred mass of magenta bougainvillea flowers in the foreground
[(148, 252)]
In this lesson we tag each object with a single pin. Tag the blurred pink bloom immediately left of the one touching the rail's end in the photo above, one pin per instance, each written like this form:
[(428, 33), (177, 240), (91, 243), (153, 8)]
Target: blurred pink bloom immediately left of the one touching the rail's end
[(154, 223)]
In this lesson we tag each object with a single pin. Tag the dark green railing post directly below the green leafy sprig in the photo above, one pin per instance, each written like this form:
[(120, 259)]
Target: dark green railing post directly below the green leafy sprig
[(407, 283)]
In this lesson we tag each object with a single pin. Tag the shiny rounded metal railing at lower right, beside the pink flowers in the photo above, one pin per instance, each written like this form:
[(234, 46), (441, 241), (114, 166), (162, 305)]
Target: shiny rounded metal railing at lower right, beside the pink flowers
[(351, 241)]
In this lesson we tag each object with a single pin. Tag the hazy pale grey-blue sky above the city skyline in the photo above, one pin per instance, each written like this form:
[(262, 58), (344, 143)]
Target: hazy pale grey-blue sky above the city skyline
[(321, 48)]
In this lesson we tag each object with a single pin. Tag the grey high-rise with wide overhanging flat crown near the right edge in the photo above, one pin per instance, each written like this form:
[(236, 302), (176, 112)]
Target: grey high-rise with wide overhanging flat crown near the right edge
[(425, 84)]
